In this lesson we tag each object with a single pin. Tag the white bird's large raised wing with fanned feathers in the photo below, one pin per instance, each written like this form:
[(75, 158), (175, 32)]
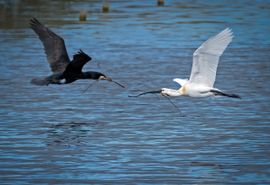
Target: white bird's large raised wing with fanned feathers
[(206, 58)]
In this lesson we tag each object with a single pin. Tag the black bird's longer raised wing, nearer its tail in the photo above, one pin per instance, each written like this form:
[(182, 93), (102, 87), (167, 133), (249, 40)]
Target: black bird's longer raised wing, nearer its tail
[(54, 46)]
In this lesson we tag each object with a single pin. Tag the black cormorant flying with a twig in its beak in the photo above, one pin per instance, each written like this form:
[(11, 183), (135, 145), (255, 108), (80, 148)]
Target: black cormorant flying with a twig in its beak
[(64, 70)]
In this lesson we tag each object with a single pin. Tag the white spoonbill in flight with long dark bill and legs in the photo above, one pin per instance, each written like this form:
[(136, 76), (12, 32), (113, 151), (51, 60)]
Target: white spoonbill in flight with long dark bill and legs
[(203, 72)]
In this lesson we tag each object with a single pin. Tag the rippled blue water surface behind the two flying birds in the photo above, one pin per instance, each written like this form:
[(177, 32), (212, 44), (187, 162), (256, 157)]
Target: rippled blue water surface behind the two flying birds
[(60, 135)]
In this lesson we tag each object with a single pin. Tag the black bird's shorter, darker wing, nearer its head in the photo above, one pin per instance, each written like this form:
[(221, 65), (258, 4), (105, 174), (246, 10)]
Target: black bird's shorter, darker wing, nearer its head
[(76, 65)]
